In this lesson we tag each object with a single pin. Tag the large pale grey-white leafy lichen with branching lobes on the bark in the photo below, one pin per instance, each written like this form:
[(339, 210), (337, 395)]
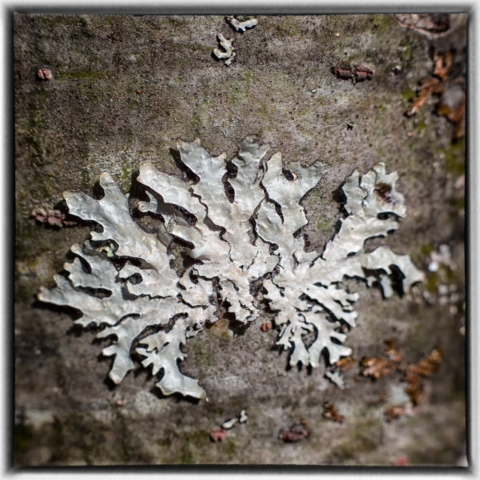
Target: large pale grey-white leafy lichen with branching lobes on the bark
[(237, 225)]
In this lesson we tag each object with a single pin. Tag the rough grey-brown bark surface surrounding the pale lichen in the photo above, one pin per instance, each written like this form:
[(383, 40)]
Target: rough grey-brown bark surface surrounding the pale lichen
[(124, 89)]
